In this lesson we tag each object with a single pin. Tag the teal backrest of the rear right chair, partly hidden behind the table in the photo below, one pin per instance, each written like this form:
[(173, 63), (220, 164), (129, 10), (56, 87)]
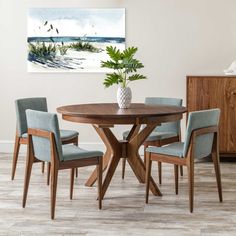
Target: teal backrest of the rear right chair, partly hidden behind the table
[(170, 126)]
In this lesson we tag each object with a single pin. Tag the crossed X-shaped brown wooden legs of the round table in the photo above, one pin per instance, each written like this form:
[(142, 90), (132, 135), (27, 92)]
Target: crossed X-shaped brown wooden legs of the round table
[(118, 149)]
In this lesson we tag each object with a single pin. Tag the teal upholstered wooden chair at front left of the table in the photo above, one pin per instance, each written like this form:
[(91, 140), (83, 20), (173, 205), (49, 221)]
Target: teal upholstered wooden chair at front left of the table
[(45, 145)]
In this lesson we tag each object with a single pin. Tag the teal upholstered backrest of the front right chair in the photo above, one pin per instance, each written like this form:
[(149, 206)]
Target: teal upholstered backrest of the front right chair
[(197, 120)]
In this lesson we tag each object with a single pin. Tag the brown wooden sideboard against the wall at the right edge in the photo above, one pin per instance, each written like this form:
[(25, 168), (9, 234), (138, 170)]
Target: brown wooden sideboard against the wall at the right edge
[(204, 92)]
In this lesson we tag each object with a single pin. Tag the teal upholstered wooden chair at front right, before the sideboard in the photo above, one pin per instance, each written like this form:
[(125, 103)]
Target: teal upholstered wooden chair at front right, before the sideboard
[(201, 140)]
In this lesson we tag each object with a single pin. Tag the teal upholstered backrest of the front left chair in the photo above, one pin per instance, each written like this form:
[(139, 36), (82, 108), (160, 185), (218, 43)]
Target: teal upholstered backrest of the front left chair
[(44, 121)]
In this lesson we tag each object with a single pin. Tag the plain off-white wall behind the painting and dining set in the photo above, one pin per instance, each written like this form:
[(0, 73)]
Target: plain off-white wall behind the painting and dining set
[(175, 38)]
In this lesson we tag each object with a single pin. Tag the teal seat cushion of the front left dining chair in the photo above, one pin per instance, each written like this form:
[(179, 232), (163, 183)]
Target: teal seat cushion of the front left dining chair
[(72, 152)]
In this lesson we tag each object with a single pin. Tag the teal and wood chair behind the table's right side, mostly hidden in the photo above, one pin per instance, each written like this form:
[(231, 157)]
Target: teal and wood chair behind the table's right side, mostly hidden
[(163, 134)]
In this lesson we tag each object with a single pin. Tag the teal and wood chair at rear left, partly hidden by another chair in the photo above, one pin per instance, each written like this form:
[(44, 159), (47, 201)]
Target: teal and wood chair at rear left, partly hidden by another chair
[(21, 137)]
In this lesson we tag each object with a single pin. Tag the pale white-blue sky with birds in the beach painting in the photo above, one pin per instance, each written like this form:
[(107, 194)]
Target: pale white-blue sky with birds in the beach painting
[(76, 22)]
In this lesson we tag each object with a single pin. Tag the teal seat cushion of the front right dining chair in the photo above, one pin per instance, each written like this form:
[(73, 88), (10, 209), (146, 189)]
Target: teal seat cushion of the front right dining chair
[(173, 149)]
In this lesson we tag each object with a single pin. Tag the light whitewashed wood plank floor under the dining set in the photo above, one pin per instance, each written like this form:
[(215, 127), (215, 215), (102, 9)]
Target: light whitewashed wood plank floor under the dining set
[(124, 211)]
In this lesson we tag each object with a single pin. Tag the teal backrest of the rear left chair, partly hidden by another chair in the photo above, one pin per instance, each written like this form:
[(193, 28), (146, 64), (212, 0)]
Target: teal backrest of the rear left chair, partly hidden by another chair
[(38, 103)]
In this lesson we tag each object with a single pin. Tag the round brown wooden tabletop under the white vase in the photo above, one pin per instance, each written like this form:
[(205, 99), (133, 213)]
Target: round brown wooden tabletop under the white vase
[(110, 113)]
